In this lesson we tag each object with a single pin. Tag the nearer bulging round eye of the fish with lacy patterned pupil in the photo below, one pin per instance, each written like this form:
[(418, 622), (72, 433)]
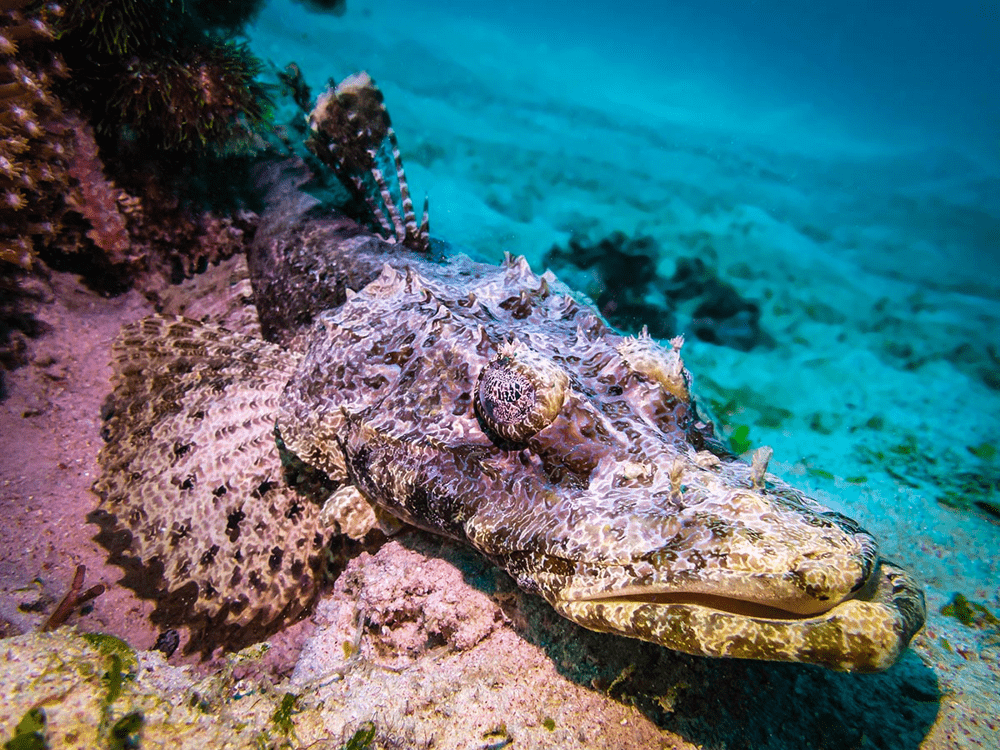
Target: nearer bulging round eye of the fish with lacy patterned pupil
[(519, 392)]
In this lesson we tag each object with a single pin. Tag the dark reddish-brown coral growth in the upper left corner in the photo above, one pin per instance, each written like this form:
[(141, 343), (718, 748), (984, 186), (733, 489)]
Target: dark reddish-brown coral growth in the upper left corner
[(202, 93)]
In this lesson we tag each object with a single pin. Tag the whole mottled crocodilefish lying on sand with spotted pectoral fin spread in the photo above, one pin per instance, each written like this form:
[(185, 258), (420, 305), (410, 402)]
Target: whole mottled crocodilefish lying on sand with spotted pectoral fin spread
[(488, 404)]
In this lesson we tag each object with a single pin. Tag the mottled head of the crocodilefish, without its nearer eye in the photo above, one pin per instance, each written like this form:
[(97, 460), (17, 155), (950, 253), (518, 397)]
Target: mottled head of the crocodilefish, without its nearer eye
[(622, 512)]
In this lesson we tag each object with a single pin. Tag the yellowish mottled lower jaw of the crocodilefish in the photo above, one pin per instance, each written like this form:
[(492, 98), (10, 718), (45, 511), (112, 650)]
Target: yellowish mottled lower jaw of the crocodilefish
[(865, 632)]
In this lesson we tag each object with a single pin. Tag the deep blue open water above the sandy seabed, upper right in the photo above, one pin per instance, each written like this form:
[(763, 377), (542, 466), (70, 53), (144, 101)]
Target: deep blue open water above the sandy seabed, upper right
[(924, 69)]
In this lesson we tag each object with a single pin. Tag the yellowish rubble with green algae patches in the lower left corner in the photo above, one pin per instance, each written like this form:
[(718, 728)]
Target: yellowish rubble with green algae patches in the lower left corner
[(96, 696)]
